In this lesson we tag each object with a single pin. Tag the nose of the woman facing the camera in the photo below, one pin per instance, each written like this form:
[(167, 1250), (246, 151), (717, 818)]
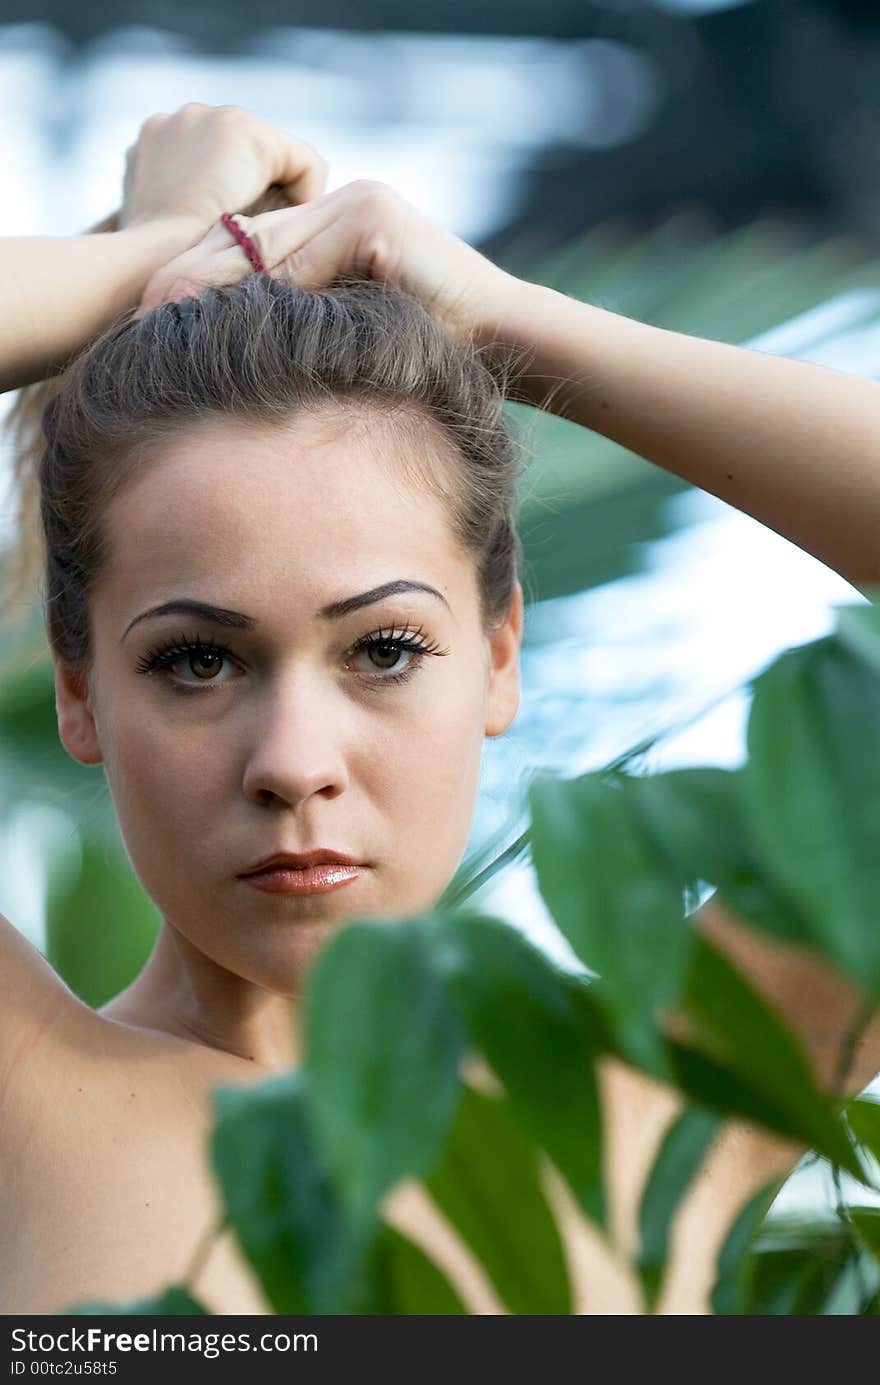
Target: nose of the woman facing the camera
[(296, 743)]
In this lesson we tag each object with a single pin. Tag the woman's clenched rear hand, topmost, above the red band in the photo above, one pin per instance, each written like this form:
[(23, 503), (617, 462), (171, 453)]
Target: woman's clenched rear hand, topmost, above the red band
[(203, 161)]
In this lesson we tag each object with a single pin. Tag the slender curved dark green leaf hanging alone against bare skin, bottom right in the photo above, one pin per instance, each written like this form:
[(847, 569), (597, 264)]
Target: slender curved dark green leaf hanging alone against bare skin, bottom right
[(683, 1152)]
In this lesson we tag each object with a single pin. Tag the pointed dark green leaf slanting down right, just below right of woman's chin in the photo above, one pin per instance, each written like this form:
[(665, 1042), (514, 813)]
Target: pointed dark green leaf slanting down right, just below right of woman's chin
[(534, 1026)]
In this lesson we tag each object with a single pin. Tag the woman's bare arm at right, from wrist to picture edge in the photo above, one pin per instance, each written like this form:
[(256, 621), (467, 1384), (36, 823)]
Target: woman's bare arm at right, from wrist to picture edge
[(796, 447)]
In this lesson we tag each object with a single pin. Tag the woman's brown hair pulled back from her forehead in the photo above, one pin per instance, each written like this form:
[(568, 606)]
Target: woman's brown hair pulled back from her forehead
[(261, 351)]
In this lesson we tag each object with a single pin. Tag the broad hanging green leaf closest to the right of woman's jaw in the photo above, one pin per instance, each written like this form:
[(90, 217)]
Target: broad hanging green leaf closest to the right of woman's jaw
[(612, 895)]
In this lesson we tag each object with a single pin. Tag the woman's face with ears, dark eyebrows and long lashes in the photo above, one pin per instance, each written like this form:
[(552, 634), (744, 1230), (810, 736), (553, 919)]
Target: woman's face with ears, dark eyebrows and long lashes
[(289, 739)]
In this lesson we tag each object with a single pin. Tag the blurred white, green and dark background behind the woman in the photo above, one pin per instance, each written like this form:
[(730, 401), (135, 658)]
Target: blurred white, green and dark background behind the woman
[(705, 166)]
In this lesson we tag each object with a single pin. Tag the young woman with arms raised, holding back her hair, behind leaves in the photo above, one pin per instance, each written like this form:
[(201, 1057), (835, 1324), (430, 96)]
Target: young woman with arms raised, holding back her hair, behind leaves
[(282, 598)]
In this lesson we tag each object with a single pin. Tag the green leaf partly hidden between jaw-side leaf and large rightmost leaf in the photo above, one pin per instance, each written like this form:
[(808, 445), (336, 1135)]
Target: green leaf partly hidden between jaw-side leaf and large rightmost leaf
[(698, 821)]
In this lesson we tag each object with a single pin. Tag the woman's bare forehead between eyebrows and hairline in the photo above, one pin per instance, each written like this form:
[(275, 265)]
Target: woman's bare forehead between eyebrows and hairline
[(265, 524)]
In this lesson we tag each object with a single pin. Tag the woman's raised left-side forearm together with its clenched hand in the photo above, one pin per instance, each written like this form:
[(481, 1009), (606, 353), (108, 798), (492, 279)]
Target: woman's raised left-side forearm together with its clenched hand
[(182, 174)]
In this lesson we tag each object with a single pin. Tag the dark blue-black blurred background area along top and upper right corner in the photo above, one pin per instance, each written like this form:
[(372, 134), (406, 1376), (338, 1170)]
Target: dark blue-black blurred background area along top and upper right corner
[(770, 106)]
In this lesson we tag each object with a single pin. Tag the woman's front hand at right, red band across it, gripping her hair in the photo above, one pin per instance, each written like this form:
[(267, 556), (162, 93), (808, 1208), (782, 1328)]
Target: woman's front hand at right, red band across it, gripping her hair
[(364, 229)]
